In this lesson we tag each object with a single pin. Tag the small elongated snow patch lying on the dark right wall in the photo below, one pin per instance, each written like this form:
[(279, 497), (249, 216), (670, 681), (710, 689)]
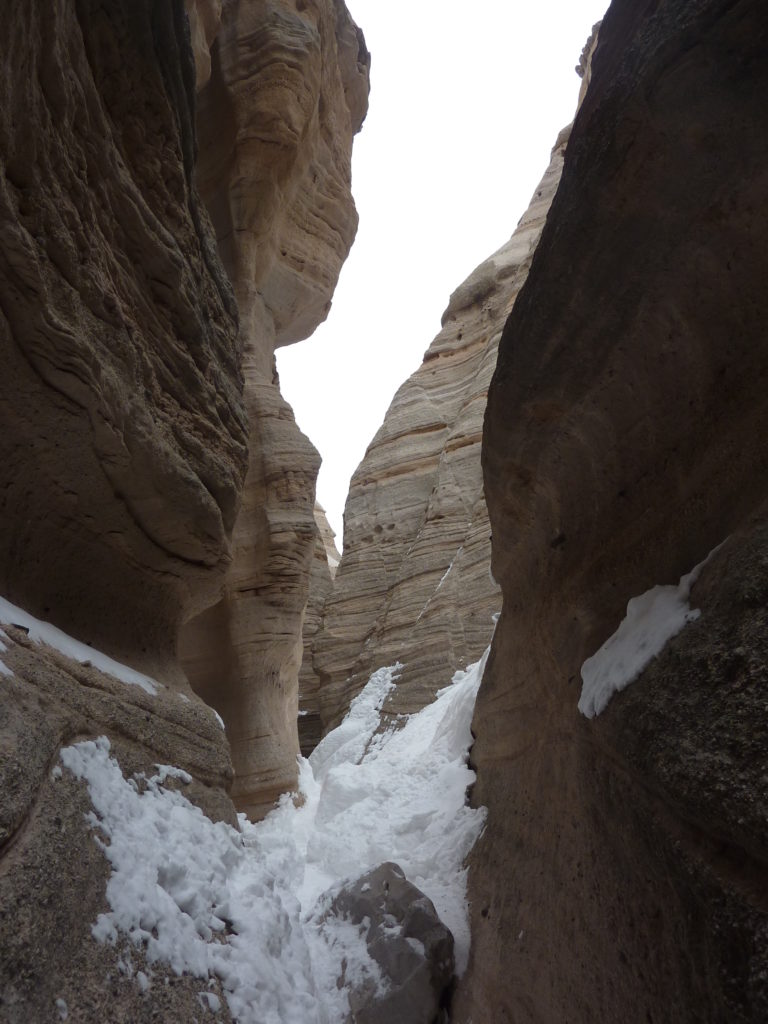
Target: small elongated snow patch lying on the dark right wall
[(653, 619)]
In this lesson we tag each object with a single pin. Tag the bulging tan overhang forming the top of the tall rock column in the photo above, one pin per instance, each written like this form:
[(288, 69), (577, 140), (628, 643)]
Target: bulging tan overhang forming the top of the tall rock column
[(288, 93)]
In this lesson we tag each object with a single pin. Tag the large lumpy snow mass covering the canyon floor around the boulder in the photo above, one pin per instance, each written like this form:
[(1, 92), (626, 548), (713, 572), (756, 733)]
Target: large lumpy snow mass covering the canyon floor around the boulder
[(249, 908)]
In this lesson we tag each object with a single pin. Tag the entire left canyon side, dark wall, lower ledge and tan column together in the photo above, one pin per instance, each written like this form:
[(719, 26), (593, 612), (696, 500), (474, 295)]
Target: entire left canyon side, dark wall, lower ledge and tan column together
[(155, 492)]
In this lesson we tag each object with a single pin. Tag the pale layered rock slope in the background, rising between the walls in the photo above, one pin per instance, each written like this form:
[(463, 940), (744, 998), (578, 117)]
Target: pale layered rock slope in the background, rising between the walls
[(414, 584)]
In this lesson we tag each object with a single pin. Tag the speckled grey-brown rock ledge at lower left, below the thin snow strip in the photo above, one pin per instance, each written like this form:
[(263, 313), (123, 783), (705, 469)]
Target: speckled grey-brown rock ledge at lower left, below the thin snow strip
[(53, 873)]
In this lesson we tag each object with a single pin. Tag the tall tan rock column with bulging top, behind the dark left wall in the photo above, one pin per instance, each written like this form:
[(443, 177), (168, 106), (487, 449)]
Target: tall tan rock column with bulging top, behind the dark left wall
[(288, 91)]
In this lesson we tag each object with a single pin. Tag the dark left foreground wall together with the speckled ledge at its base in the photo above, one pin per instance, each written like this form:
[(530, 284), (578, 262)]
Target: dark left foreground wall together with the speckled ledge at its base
[(123, 452)]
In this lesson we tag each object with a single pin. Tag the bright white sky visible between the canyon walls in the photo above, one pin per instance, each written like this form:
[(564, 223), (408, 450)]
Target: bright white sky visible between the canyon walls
[(466, 102)]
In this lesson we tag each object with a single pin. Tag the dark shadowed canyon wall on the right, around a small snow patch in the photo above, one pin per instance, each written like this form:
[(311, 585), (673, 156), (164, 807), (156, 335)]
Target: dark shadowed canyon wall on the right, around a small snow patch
[(623, 873)]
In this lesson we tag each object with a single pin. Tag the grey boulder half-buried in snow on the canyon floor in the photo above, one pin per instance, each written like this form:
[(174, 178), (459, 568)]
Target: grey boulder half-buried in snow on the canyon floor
[(407, 940)]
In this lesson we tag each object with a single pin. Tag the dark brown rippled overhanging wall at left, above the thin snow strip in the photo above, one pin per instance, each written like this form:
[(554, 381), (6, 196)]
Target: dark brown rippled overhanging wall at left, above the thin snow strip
[(122, 426)]
